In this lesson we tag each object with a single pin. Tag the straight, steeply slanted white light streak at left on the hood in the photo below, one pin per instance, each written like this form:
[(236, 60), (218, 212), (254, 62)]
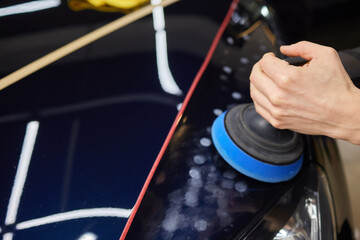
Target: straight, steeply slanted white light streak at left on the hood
[(21, 172)]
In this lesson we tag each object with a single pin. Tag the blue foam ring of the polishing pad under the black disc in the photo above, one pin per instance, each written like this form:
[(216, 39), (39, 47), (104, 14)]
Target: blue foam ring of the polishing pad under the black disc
[(246, 164)]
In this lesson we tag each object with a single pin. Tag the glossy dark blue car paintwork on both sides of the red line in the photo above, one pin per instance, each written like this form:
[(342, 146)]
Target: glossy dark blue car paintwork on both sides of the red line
[(103, 115)]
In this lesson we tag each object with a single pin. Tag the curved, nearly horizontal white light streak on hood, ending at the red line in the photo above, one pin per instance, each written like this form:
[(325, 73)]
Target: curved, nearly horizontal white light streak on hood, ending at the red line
[(76, 214)]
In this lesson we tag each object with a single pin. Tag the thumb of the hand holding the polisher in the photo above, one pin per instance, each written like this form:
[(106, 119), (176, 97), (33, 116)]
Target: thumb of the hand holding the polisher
[(304, 49)]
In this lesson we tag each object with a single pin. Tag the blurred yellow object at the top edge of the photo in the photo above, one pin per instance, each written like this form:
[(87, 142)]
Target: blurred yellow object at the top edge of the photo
[(124, 6)]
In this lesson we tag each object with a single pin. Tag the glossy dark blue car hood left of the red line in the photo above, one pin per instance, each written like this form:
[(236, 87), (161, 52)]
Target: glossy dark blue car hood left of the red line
[(102, 116)]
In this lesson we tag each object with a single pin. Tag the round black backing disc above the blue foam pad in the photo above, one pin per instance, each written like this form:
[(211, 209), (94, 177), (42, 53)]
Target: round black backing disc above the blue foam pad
[(254, 135)]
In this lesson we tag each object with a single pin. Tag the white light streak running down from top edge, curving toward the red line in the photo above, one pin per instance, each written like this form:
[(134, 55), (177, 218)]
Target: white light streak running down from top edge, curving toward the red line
[(166, 79)]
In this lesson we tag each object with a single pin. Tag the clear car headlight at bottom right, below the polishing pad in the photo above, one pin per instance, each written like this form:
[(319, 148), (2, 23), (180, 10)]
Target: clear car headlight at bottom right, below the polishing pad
[(305, 212)]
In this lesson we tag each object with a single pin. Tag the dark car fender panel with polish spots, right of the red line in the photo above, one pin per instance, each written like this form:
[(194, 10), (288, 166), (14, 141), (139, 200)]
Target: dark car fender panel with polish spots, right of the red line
[(194, 194)]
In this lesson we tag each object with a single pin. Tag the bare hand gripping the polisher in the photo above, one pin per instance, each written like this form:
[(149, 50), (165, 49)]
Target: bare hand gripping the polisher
[(318, 98)]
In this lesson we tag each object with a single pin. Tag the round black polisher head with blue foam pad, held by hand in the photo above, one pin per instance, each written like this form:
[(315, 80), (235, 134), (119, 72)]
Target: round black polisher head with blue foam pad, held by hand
[(254, 147)]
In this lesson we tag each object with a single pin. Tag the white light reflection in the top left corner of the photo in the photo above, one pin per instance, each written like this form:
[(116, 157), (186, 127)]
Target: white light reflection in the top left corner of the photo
[(29, 7)]
